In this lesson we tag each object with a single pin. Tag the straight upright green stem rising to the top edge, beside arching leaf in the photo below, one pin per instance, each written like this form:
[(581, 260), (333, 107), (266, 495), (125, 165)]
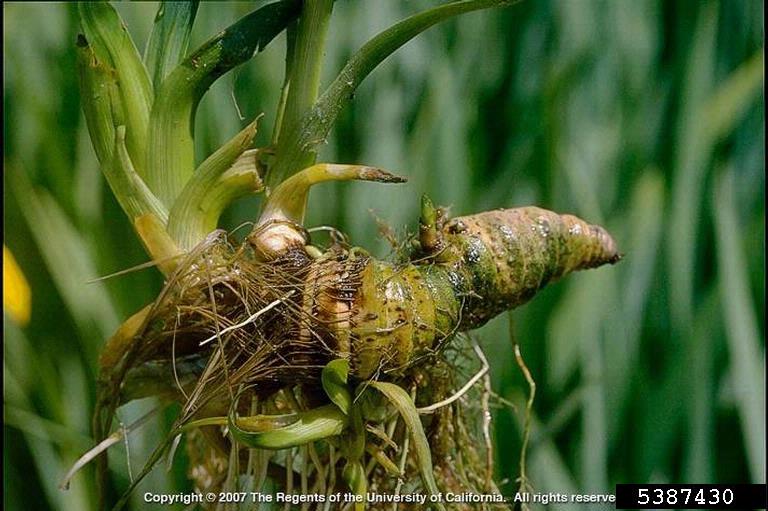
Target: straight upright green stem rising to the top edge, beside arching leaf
[(304, 80)]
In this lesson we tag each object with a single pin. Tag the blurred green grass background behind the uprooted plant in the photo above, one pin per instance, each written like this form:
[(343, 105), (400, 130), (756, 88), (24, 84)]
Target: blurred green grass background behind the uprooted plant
[(644, 116)]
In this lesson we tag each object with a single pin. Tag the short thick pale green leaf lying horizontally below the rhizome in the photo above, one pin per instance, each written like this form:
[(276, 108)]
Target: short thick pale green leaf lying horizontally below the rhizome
[(259, 431)]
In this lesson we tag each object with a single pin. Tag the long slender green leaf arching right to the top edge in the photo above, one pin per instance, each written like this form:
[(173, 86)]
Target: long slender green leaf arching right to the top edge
[(318, 122)]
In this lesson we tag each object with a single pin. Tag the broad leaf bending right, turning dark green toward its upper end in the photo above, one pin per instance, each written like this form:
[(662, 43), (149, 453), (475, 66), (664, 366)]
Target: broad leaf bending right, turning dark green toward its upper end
[(171, 155)]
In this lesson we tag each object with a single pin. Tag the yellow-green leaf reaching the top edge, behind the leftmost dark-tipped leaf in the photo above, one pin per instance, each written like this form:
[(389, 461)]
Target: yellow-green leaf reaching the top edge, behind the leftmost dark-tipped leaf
[(114, 48)]
